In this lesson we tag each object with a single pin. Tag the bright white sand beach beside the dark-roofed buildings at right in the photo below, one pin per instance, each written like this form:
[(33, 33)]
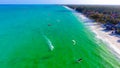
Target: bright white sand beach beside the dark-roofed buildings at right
[(112, 40)]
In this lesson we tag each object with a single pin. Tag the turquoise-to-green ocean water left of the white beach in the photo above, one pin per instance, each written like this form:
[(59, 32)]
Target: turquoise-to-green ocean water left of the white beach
[(43, 36)]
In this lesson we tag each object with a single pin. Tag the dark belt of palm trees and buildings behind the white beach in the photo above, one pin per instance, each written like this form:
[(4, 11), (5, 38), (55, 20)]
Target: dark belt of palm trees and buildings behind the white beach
[(108, 15)]
